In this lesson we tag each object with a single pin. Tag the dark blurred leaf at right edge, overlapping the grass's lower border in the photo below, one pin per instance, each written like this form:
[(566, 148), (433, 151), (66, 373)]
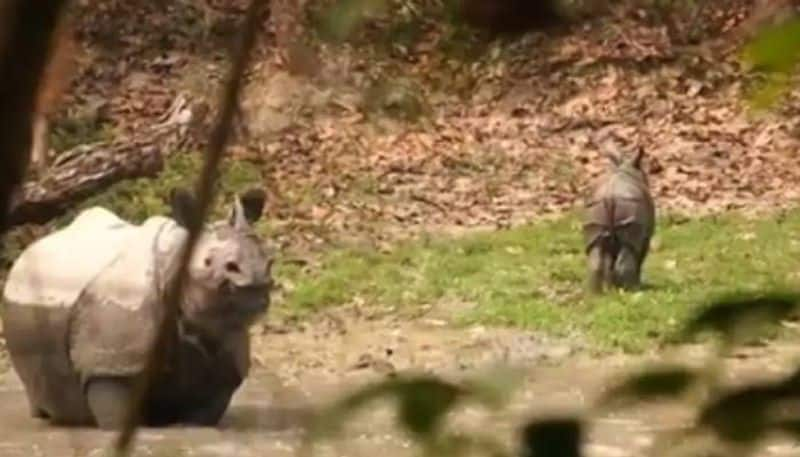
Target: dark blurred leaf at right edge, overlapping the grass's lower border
[(732, 315)]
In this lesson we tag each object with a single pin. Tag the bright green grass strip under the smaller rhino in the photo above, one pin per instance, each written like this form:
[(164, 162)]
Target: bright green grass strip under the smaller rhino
[(533, 276)]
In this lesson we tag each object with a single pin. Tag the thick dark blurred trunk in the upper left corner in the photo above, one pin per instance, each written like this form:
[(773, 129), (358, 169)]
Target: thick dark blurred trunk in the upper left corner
[(26, 31)]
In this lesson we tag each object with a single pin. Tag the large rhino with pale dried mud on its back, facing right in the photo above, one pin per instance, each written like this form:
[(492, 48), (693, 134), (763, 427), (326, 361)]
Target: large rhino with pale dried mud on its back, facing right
[(82, 307)]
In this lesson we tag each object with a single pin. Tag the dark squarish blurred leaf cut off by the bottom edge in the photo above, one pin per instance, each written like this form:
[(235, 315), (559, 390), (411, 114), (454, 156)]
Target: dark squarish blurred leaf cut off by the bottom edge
[(557, 437)]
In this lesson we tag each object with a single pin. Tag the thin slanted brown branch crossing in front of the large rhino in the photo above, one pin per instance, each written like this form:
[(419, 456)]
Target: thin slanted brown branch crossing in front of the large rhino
[(204, 190)]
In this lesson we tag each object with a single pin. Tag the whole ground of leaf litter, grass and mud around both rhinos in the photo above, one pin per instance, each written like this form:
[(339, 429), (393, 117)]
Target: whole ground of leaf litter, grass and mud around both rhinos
[(421, 202)]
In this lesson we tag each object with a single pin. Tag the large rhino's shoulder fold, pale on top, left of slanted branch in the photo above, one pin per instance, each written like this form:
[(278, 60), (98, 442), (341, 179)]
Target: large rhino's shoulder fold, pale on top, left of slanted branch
[(115, 318)]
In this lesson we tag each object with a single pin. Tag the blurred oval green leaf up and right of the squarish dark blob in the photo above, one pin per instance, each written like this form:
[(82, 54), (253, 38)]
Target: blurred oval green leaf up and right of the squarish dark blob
[(654, 383)]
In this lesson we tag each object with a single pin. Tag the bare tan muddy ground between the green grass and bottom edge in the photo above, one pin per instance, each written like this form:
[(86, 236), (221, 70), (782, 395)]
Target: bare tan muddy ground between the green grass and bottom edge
[(298, 366)]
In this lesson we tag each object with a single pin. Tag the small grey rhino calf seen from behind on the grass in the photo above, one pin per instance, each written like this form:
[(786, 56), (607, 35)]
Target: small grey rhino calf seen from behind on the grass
[(619, 222)]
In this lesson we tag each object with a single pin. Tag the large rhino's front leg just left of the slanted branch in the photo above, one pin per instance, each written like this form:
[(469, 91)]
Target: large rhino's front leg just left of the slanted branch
[(108, 399)]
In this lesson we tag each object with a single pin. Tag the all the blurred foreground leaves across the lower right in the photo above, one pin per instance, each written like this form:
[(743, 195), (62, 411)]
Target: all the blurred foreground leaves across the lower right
[(740, 415)]
